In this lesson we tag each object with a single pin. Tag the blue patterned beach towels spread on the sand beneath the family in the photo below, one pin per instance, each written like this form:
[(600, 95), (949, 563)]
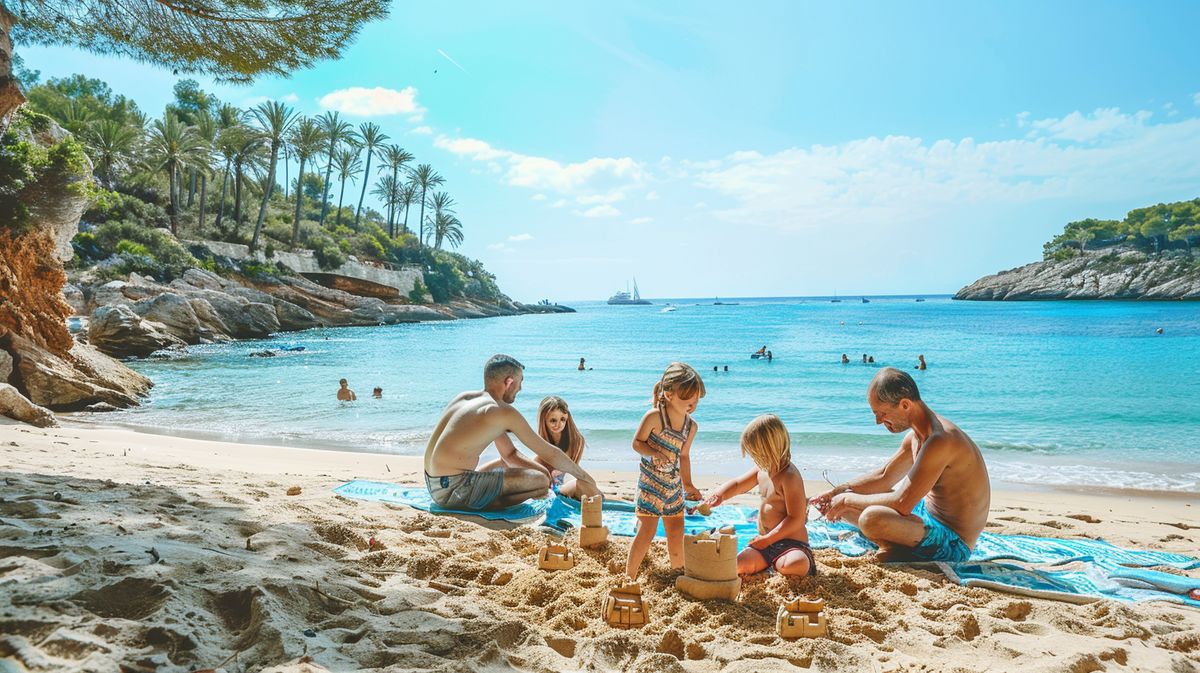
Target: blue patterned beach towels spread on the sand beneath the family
[(1049, 568)]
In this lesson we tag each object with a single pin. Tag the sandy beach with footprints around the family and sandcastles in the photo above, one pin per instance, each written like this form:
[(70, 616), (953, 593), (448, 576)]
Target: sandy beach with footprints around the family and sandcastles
[(123, 551)]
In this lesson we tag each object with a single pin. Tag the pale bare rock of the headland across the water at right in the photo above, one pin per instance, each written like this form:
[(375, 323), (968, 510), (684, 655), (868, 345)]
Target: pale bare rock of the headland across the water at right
[(1119, 273)]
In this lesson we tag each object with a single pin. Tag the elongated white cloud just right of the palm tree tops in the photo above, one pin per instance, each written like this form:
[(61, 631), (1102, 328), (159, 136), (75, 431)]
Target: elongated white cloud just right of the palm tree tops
[(585, 179)]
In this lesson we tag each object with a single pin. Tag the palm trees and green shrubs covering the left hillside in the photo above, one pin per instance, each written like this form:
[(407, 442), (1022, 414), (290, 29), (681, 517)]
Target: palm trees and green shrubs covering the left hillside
[(208, 171)]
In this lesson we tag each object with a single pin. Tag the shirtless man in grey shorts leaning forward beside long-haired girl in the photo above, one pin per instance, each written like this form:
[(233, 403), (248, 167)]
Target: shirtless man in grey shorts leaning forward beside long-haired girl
[(472, 423)]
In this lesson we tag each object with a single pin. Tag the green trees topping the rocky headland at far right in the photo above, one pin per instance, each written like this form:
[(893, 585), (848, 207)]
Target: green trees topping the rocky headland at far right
[(1153, 230)]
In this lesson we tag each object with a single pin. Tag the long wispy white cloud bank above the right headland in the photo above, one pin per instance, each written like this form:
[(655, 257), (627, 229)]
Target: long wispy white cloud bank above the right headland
[(902, 179)]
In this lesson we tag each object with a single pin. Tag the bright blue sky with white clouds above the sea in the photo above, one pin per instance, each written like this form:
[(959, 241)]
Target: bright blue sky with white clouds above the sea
[(776, 151)]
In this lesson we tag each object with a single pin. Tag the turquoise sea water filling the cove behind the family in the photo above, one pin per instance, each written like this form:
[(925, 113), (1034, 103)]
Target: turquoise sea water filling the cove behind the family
[(1081, 394)]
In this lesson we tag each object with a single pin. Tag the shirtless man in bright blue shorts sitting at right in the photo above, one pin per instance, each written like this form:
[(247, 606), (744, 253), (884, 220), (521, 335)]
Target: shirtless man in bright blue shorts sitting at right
[(943, 502)]
